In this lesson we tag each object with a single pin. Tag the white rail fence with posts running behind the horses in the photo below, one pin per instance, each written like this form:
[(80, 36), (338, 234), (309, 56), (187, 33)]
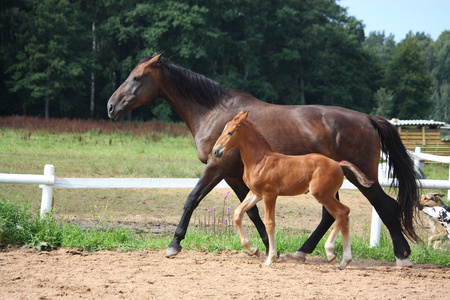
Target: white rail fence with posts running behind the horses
[(48, 182)]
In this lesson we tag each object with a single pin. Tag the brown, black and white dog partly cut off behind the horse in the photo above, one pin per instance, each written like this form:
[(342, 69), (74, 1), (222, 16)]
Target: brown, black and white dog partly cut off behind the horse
[(437, 213)]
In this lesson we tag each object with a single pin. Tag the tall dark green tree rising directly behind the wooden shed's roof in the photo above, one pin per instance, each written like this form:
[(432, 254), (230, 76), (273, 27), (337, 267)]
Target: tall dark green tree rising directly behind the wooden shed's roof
[(409, 82)]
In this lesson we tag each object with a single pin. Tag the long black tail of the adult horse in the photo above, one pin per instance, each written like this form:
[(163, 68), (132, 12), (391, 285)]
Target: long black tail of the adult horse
[(402, 167)]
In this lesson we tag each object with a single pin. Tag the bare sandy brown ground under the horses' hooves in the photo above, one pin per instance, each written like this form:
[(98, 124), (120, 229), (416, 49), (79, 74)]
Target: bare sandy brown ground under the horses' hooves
[(75, 274)]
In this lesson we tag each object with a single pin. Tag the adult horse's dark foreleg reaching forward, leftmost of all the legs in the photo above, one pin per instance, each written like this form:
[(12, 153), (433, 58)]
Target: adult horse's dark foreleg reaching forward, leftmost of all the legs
[(211, 176)]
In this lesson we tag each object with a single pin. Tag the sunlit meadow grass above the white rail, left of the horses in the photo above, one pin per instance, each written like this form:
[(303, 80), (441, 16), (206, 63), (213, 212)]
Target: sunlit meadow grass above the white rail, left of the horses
[(97, 155)]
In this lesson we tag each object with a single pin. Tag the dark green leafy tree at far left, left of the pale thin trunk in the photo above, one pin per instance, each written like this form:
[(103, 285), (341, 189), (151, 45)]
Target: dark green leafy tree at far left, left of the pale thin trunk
[(48, 64)]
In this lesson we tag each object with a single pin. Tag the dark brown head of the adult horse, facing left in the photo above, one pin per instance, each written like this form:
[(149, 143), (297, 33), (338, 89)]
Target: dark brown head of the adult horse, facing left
[(141, 87)]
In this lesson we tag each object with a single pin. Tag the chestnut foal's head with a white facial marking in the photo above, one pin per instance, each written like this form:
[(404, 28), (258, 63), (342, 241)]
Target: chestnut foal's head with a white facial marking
[(230, 135)]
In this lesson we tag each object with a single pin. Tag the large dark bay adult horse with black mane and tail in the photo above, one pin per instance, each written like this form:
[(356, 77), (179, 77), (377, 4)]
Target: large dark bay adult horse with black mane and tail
[(341, 134)]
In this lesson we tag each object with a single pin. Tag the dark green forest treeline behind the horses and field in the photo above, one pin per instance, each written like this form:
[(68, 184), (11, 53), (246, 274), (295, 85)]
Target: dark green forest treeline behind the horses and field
[(64, 58)]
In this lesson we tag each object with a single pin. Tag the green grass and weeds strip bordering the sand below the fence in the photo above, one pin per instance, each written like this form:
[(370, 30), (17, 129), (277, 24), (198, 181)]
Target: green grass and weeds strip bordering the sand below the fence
[(20, 226)]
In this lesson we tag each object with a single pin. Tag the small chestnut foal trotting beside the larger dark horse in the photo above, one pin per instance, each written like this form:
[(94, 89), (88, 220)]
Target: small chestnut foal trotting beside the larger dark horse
[(269, 174)]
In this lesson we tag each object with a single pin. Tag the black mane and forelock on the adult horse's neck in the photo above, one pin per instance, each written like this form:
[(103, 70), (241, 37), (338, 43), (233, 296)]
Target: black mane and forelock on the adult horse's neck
[(191, 85)]
